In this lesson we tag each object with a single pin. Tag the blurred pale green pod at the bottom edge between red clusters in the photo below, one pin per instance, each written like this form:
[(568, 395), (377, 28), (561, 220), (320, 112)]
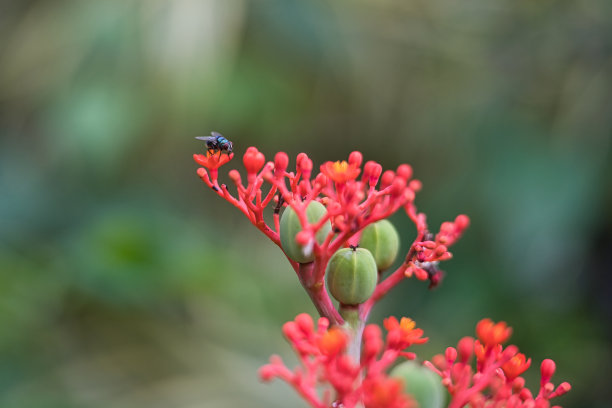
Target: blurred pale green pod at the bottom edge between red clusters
[(421, 383)]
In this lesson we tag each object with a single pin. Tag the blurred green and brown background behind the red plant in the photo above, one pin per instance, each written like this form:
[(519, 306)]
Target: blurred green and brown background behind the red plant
[(125, 282)]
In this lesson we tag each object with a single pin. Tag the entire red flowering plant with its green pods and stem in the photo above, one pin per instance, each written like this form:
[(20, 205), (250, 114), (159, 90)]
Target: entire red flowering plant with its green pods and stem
[(332, 228)]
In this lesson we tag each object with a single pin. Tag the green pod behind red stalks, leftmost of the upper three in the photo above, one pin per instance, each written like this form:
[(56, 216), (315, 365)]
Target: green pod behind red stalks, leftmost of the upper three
[(290, 226)]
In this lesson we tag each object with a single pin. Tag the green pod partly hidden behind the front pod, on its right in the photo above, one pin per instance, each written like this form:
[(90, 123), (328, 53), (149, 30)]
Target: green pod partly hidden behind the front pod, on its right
[(382, 240)]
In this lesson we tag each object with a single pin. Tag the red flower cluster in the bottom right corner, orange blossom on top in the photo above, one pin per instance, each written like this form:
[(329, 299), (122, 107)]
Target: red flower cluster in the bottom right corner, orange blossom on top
[(496, 382)]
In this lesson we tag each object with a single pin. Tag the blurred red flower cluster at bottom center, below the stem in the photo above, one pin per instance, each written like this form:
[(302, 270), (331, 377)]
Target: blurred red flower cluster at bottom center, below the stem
[(323, 361)]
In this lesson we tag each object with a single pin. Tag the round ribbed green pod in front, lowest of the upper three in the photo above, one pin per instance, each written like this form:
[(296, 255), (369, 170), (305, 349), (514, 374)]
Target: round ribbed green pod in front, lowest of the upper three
[(351, 275)]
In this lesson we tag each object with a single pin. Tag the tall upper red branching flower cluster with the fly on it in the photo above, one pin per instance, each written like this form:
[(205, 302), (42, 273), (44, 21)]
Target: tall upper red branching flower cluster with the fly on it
[(352, 203)]
